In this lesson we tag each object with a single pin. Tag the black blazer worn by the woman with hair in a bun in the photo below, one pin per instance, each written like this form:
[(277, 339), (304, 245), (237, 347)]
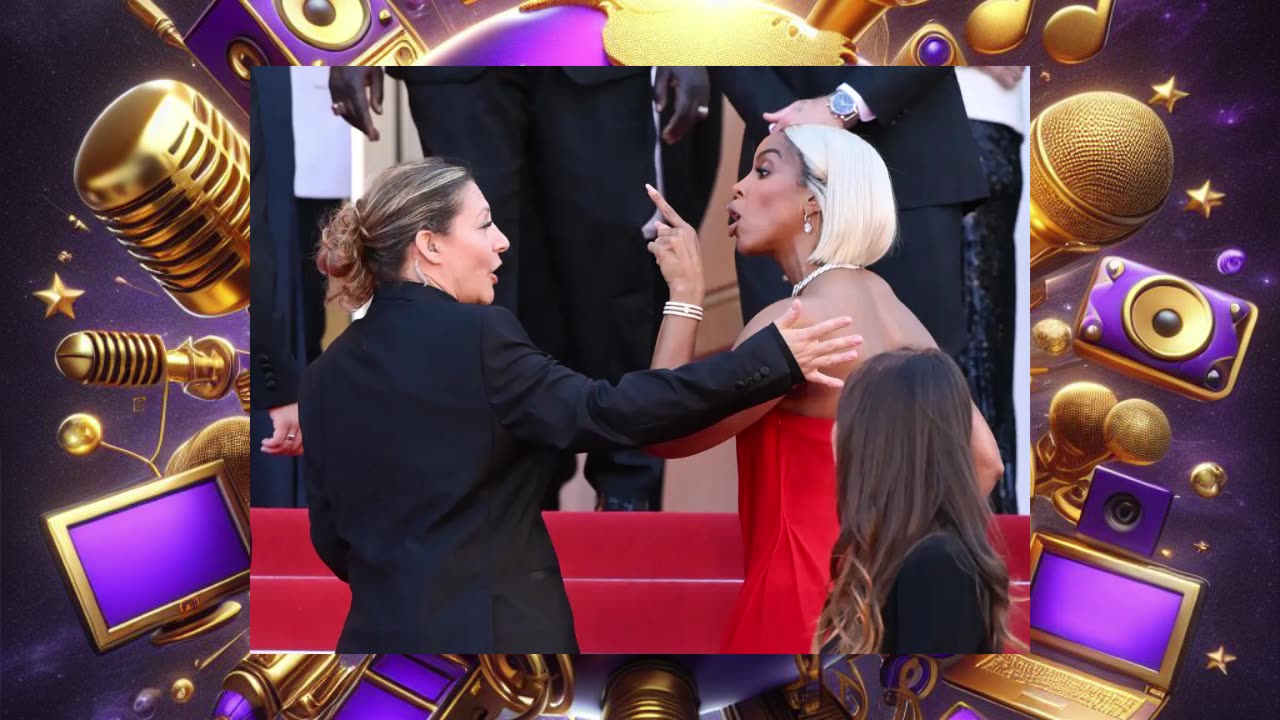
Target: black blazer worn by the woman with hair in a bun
[(432, 429)]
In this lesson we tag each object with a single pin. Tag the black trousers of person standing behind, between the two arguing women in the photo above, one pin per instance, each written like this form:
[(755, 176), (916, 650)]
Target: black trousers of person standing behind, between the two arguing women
[(564, 168)]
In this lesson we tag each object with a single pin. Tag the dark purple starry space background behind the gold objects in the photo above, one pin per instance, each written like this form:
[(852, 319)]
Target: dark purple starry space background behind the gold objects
[(67, 61)]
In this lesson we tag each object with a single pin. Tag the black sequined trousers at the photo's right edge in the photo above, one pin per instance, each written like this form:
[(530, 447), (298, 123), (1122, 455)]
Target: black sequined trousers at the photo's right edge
[(990, 297)]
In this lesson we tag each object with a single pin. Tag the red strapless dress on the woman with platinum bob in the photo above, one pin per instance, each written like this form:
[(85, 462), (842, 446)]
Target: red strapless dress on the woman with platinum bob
[(787, 489)]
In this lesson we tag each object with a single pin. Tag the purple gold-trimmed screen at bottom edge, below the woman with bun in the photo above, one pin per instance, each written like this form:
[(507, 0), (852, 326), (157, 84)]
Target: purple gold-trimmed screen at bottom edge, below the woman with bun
[(400, 687)]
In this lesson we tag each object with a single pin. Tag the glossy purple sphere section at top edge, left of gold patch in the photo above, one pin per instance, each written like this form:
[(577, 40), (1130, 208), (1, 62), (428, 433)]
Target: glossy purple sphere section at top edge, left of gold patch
[(552, 37)]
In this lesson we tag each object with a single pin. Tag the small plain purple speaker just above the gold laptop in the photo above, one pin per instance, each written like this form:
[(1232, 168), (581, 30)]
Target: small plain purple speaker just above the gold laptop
[(1124, 512)]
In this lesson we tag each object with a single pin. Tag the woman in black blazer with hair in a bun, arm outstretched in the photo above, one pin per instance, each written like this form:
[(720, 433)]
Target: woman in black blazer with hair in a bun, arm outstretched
[(432, 423)]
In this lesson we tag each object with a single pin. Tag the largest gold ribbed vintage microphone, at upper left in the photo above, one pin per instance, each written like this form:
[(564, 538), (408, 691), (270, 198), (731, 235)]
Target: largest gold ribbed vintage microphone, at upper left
[(168, 176)]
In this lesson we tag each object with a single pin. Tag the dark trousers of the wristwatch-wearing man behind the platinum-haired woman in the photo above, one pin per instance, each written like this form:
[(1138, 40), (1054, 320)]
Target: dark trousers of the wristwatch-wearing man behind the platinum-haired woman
[(926, 271)]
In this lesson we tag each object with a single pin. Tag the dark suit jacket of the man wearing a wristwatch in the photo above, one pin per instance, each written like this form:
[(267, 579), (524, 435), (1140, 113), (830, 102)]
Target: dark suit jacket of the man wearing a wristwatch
[(921, 127)]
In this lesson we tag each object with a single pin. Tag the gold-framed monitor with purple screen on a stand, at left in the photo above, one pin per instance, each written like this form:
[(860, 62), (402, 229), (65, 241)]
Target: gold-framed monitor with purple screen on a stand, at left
[(154, 553)]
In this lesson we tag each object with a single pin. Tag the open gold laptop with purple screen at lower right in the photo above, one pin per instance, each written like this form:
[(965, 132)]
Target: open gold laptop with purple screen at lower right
[(1109, 635)]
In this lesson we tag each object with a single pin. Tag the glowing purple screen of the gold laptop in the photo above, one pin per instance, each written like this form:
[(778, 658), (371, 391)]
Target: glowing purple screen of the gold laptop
[(1105, 612)]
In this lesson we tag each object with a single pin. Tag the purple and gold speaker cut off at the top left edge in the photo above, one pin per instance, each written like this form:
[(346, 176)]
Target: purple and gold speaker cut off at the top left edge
[(232, 37)]
